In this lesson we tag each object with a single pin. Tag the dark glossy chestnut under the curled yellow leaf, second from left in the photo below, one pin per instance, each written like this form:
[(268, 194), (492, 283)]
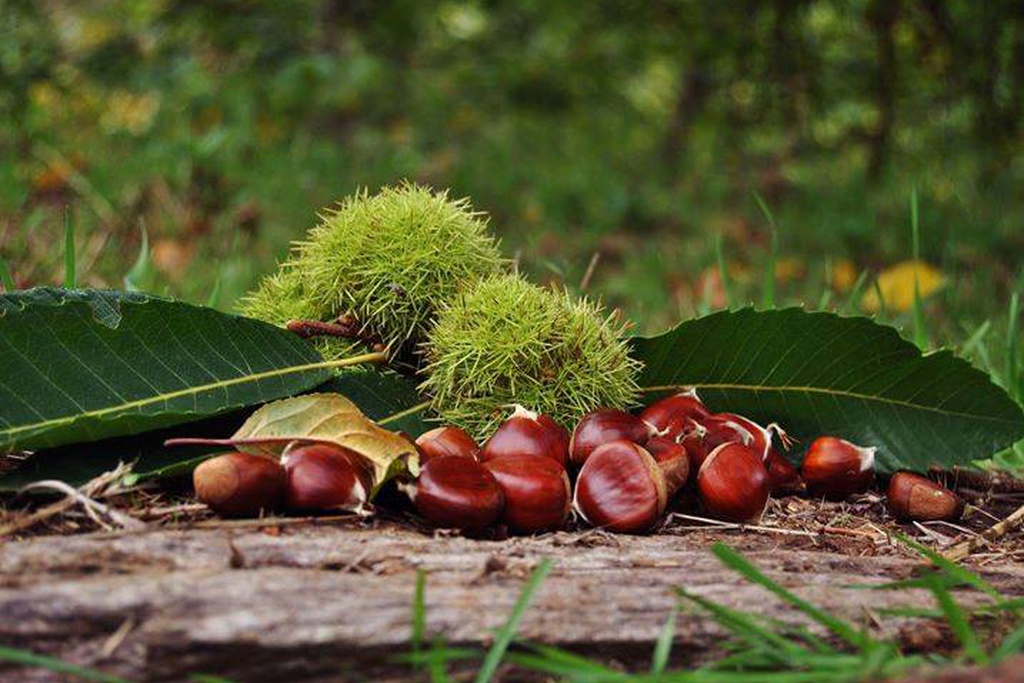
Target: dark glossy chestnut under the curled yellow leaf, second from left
[(323, 478)]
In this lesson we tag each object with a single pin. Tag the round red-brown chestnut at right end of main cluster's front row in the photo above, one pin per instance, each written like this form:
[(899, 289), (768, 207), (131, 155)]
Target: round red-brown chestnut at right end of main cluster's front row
[(734, 484)]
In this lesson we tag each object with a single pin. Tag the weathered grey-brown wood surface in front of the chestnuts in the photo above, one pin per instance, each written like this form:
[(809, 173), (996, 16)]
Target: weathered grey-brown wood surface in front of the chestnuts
[(334, 603)]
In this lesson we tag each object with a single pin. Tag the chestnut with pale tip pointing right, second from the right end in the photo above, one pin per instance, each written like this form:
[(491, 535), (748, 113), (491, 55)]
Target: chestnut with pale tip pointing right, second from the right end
[(836, 469)]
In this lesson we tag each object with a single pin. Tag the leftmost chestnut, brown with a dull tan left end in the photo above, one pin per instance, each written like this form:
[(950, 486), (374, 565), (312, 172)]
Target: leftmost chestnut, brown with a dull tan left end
[(239, 485)]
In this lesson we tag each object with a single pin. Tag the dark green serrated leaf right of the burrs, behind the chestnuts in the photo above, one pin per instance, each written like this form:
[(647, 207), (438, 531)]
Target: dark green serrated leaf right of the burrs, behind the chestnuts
[(818, 373)]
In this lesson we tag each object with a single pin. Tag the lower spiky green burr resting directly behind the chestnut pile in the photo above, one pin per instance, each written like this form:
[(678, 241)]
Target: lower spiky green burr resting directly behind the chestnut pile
[(507, 341)]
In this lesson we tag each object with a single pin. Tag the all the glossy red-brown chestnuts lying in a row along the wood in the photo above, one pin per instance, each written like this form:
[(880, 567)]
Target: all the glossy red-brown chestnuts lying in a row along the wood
[(617, 472)]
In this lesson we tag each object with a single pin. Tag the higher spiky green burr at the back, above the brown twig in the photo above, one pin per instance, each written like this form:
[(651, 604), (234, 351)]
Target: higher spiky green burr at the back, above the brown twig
[(389, 260)]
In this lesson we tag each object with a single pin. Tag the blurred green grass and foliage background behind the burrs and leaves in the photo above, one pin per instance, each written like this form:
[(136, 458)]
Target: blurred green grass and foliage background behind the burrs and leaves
[(646, 133)]
